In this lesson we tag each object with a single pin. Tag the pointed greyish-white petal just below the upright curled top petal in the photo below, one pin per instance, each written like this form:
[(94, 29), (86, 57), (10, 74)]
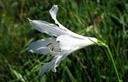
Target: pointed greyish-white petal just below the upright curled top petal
[(48, 28)]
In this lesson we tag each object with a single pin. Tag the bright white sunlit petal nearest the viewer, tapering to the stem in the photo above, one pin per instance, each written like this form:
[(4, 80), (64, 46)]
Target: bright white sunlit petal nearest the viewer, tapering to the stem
[(71, 43)]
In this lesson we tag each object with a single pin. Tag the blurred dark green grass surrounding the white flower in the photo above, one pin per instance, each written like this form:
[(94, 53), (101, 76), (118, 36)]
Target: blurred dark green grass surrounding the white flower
[(106, 20)]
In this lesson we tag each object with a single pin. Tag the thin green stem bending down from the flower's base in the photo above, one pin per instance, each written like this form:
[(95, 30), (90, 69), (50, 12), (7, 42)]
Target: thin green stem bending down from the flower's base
[(111, 57)]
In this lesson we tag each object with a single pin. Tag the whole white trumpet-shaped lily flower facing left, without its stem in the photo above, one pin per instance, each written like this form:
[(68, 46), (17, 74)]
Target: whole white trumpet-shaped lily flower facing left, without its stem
[(60, 47)]
